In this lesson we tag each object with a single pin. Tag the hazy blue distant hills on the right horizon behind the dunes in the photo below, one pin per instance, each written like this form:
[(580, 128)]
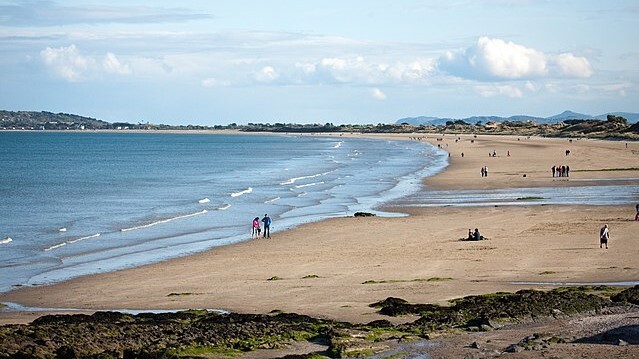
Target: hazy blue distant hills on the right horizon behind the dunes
[(566, 115)]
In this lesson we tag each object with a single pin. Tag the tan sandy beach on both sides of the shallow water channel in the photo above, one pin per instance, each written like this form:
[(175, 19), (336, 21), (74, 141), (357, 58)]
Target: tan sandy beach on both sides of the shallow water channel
[(336, 268)]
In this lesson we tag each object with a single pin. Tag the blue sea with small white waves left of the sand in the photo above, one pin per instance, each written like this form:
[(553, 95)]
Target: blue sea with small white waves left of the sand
[(78, 203)]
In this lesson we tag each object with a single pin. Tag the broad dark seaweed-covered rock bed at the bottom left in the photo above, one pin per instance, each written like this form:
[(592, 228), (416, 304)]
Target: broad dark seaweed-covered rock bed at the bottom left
[(189, 333)]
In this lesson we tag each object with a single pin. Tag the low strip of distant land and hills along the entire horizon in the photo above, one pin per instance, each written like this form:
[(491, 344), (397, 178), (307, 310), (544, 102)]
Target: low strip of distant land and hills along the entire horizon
[(615, 125)]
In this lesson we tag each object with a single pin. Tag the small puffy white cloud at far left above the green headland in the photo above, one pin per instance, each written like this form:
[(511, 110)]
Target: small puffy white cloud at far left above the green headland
[(69, 64)]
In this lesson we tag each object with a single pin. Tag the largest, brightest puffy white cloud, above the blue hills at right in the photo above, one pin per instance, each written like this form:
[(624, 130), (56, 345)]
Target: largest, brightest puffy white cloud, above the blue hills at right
[(496, 59)]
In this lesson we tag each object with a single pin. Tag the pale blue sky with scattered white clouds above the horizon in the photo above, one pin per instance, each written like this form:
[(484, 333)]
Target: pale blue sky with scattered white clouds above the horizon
[(293, 61)]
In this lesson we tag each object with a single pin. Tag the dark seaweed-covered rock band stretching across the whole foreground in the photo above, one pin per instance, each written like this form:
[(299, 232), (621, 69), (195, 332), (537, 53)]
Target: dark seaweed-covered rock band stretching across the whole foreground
[(199, 333)]
